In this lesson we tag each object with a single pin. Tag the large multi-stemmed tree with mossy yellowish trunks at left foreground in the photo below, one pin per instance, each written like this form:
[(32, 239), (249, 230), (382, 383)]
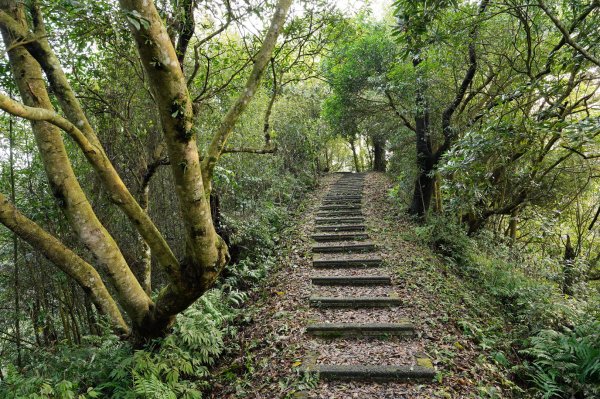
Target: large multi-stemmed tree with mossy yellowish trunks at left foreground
[(33, 62)]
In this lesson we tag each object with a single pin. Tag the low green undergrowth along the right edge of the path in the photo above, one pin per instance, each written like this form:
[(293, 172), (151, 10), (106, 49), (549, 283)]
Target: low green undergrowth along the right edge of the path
[(548, 342)]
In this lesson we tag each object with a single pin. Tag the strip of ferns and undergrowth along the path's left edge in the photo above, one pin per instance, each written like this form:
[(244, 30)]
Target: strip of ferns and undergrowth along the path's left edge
[(174, 367)]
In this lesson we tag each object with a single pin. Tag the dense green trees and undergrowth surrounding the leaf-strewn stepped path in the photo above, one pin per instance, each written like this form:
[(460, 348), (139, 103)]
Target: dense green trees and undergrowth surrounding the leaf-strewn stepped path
[(152, 154)]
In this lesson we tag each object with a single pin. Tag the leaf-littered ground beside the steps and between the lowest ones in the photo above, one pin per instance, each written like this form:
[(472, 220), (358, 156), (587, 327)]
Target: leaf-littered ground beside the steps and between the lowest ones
[(267, 355)]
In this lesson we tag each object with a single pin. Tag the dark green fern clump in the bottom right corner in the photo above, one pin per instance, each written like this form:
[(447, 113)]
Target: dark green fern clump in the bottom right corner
[(566, 364)]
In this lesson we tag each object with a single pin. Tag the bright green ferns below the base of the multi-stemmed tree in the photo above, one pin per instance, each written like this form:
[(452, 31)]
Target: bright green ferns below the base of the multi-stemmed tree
[(175, 367)]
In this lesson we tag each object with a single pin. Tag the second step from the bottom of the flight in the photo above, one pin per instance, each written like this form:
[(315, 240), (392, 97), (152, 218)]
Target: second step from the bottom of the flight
[(404, 329)]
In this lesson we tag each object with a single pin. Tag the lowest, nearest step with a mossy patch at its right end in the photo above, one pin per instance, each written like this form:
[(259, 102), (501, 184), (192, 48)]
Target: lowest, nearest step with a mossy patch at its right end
[(374, 373)]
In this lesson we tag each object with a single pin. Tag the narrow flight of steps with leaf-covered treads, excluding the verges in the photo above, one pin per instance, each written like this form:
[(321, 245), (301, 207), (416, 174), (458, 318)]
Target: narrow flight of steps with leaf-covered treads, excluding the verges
[(356, 303)]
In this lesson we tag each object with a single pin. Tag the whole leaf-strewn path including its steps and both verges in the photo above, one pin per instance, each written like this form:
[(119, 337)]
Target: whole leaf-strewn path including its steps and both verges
[(373, 319)]
